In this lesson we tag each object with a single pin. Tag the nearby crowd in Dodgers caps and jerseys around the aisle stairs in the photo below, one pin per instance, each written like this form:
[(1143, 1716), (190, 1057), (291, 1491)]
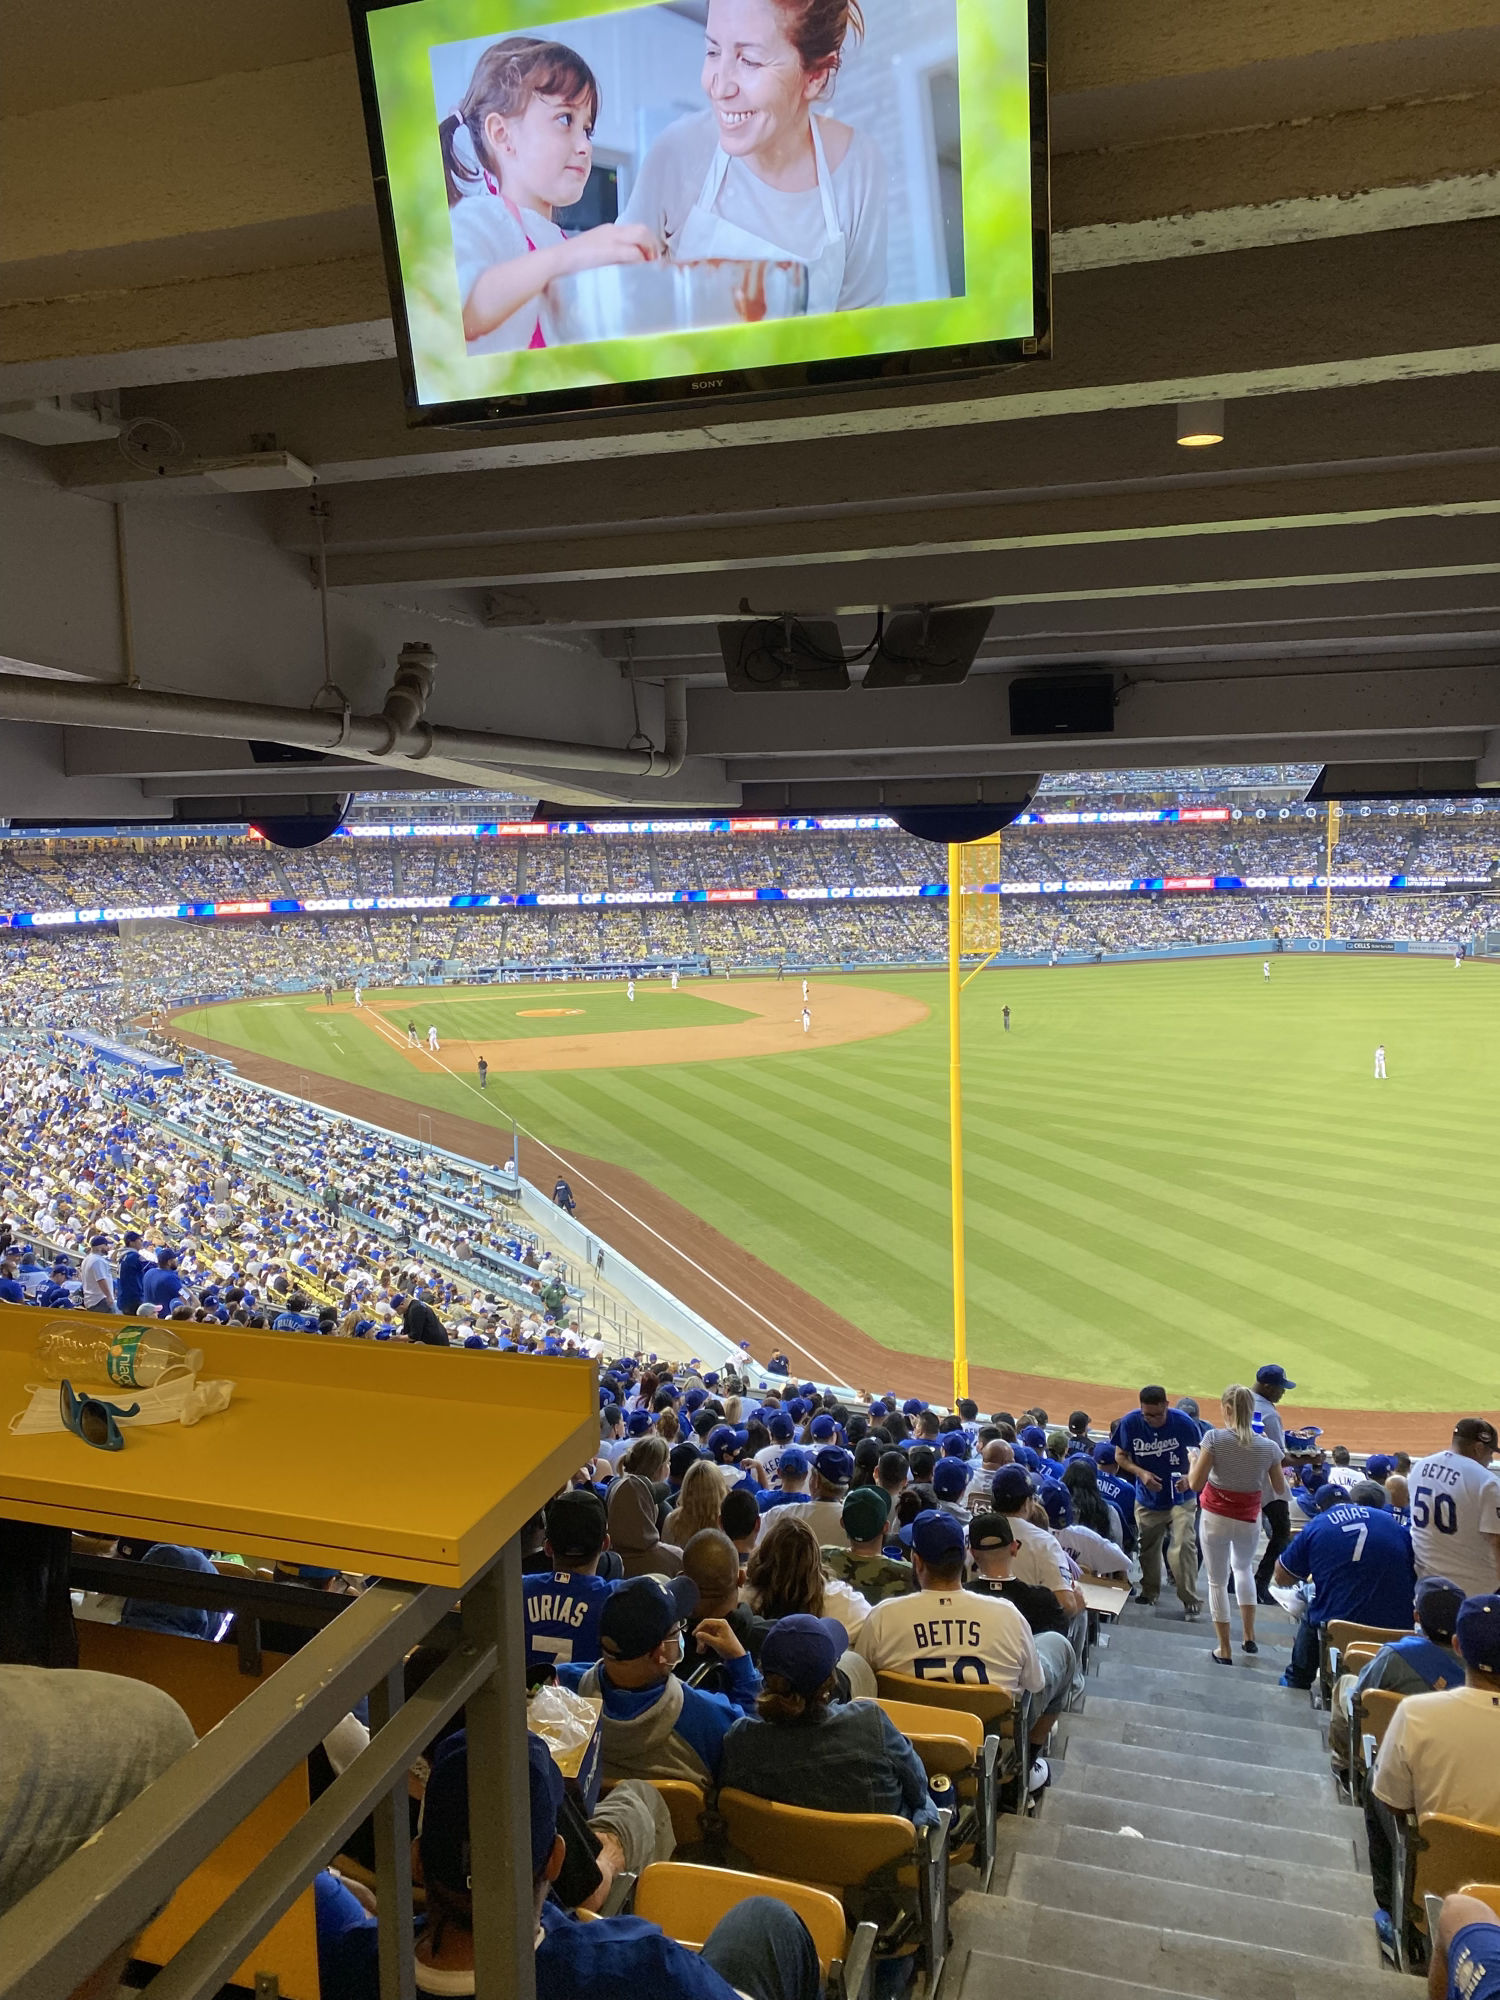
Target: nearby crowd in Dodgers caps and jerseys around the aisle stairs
[(741, 1561)]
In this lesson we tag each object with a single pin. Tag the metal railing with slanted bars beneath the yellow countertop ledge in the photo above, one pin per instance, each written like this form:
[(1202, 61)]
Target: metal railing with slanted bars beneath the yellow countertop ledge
[(105, 1895)]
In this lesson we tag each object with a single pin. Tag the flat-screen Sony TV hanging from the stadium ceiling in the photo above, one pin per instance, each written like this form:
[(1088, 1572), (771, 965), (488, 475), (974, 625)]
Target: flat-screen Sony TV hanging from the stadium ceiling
[(595, 205)]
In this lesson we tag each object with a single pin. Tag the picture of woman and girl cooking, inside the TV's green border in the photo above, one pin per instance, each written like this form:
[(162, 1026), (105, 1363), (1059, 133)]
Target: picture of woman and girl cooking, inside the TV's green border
[(811, 141)]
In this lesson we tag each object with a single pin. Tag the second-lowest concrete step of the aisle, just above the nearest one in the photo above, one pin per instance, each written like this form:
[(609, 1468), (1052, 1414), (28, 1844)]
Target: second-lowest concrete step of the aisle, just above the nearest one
[(1189, 1907)]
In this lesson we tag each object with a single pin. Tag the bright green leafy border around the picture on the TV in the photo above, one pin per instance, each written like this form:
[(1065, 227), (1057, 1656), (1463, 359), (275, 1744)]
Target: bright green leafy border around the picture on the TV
[(999, 57)]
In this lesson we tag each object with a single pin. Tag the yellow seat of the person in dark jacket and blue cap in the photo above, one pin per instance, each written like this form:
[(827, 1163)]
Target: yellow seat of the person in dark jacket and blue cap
[(857, 1857)]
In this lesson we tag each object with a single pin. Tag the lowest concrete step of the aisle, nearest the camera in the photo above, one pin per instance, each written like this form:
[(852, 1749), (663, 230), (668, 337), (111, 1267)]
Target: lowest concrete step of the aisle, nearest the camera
[(1165, 1961)]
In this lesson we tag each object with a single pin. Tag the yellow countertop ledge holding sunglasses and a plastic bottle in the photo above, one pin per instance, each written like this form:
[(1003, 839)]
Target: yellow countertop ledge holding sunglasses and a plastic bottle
[(405, 1463)]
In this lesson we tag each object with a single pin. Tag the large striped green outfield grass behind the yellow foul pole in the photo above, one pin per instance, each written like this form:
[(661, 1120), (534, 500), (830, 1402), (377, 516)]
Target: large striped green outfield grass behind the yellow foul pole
[(1175, 1169)]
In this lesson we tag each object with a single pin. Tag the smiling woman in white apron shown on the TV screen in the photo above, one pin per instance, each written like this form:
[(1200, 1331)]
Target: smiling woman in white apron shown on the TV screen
[(761, 175)]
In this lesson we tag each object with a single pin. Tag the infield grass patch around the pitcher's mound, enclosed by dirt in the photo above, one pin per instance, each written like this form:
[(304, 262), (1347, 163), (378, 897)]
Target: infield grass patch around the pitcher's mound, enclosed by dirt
[(509, 1013)]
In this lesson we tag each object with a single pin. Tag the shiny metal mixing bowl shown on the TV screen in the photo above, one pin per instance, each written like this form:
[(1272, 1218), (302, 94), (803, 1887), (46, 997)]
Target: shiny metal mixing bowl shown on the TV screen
[(625, 301)]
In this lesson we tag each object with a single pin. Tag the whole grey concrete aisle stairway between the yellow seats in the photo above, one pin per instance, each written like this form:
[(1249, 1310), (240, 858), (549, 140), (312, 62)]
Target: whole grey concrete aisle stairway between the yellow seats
[(1191, 1843)]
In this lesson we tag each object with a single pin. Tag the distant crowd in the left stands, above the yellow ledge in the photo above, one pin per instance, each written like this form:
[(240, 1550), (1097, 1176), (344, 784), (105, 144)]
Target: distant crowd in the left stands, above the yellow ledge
[(263, 1213)]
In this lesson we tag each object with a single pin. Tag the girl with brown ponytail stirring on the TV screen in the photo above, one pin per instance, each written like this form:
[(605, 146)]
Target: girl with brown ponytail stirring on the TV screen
[(521, 145)]
